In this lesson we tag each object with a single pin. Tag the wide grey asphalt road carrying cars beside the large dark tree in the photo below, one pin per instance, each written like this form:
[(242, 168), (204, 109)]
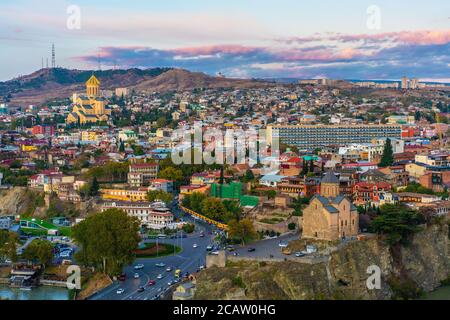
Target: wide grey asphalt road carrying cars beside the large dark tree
[(188, 260)]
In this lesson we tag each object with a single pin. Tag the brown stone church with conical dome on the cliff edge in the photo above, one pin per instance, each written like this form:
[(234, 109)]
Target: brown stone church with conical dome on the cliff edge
[(330, 216)]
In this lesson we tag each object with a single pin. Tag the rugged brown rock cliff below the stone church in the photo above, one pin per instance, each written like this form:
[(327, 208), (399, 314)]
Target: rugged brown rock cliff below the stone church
[(426, 262)]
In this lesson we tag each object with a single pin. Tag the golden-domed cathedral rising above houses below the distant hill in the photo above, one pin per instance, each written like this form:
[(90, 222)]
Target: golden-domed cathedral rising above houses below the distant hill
[(89, 108)]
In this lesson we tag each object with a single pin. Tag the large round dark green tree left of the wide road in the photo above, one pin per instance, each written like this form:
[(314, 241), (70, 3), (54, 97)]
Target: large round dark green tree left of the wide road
[(107, 240)]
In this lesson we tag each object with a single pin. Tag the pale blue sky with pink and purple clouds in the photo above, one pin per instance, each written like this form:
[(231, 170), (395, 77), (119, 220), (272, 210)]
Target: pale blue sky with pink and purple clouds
[(347, 39)]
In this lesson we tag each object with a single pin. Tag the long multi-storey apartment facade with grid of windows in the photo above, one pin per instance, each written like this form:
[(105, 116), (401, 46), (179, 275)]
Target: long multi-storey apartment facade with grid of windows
[(316, 136)]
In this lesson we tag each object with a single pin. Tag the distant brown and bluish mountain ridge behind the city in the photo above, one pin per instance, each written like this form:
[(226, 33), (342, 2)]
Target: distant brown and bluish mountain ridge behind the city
[(58, 83)]
